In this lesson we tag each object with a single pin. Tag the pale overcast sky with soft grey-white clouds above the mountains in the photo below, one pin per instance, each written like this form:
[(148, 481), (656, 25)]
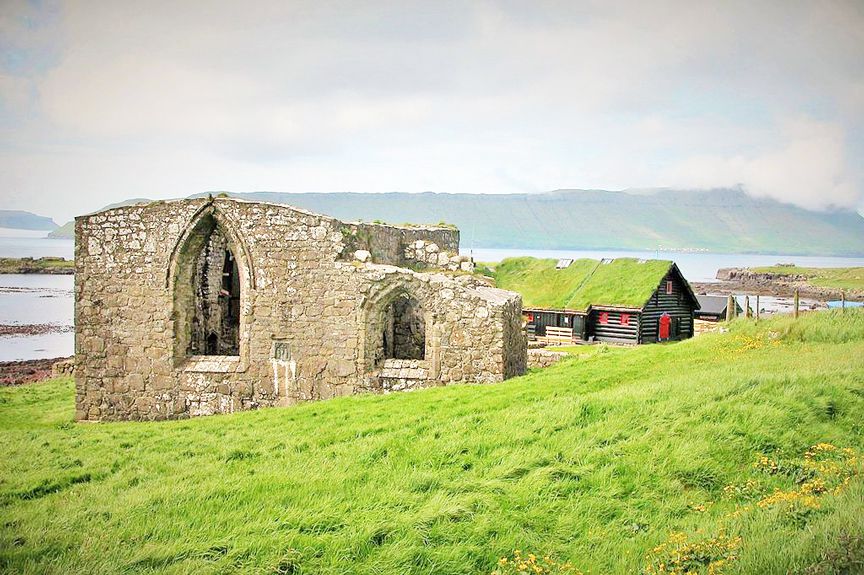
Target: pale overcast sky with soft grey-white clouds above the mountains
[(102, 101)]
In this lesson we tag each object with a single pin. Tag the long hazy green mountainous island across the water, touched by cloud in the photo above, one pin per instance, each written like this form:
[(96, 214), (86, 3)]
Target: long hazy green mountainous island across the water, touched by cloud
[(720, 221)]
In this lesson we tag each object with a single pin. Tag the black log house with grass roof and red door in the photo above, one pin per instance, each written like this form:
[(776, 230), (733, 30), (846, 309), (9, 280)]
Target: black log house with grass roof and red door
[(623, 300)]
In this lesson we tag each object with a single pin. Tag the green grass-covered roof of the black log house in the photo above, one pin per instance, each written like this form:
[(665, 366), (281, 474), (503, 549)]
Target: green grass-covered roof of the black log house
[(623, 282)]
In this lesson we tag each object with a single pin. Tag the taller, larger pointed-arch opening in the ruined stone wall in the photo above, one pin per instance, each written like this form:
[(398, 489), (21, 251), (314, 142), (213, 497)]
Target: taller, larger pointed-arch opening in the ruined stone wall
[(207, 293)]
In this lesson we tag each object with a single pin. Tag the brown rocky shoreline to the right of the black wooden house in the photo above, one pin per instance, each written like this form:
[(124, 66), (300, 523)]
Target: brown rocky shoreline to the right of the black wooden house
[(741, 281)]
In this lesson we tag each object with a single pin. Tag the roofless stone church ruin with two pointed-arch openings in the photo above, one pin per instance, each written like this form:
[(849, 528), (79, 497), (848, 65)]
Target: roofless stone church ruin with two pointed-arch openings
[(196, 307)]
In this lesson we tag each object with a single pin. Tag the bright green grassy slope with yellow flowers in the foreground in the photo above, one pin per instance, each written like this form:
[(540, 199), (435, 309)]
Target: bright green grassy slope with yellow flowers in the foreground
[(617, 461)]
